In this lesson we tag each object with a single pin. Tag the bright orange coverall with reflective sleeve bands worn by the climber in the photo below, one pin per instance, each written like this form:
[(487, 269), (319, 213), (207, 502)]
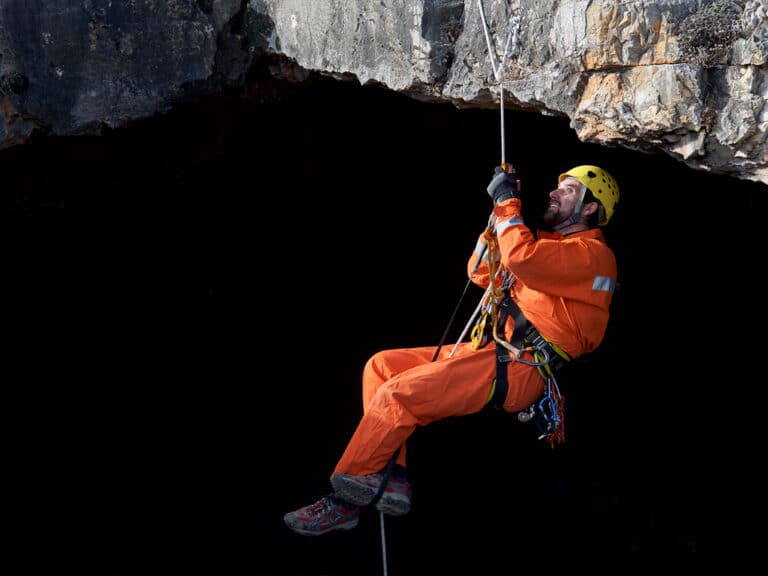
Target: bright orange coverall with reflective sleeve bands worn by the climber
[(563, 286)]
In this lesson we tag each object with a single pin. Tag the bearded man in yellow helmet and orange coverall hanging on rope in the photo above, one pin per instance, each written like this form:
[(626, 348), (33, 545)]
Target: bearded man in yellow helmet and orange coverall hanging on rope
[(547, 302)]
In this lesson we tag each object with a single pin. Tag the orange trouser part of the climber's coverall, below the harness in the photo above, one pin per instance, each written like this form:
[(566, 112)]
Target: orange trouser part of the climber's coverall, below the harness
[(404, 388)]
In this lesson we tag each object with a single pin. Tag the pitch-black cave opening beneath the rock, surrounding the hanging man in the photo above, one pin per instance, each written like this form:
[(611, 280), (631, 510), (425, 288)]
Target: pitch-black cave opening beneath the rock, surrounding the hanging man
[(188, 304)]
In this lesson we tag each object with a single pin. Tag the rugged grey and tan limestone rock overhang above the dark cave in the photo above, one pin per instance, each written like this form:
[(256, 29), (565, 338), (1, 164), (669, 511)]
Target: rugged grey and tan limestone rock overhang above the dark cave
[(686, 78)]
